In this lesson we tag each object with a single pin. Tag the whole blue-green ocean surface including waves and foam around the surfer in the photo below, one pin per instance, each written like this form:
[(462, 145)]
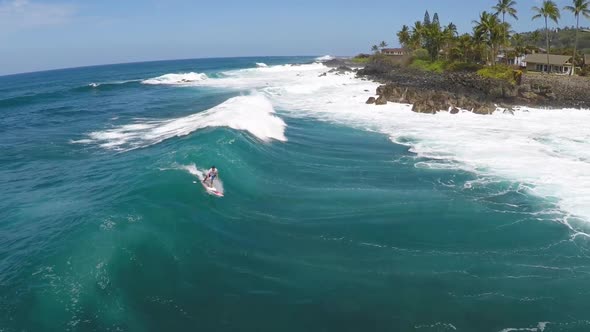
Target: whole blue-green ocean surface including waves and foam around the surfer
[(337, 215)]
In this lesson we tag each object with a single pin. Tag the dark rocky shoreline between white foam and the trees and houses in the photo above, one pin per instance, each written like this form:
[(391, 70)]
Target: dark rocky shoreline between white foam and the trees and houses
[(430, 92)]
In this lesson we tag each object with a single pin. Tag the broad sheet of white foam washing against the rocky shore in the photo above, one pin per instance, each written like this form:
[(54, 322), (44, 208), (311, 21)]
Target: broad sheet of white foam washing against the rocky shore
[(548, 149)]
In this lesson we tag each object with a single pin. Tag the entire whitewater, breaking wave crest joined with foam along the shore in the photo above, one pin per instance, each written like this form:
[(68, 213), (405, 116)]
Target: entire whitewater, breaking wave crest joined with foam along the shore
[(547, 151)]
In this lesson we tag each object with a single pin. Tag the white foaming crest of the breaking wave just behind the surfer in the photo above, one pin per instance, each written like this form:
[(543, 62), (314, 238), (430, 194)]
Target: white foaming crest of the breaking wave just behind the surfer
[(254, 114)]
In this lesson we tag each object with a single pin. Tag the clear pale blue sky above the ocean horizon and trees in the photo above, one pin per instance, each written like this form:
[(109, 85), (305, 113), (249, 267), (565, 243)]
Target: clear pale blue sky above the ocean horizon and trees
[(47, 34)]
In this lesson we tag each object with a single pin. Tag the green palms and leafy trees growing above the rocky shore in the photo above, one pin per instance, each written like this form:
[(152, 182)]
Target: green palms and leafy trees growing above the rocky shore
[(437, 47)]
